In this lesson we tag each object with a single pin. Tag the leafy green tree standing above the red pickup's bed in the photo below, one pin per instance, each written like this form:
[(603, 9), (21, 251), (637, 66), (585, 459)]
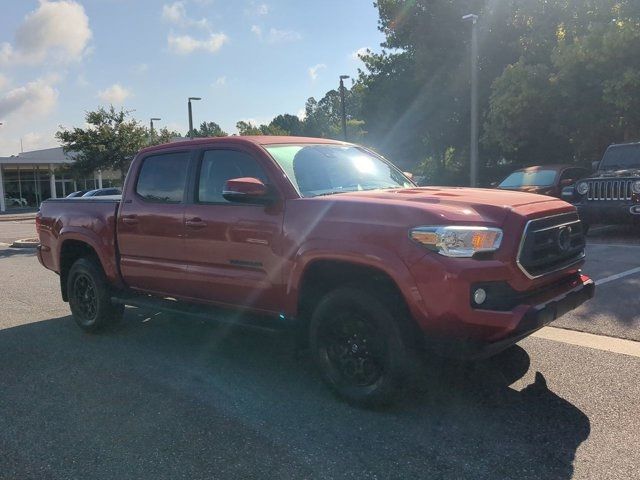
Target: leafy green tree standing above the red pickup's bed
[(110, 141)]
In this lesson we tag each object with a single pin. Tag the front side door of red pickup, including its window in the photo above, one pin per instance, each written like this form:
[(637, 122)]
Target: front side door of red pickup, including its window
[(232, 248)]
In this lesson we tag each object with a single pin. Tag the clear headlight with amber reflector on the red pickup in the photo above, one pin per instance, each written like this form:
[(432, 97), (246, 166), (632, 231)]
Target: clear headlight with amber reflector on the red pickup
[(458, 241)]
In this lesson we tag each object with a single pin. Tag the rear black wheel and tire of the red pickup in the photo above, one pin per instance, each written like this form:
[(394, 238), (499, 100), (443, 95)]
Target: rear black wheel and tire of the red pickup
[(90, 297)]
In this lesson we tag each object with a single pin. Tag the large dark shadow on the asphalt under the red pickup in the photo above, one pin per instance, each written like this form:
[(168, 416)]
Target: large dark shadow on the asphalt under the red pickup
[(162, 397)]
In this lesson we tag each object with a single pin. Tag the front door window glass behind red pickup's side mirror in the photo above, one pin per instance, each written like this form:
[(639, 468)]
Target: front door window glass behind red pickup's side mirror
[(218, 166)]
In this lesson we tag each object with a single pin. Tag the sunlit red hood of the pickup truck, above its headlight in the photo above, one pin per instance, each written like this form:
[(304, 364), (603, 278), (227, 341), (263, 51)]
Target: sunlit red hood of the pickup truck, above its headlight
[(455, 204)]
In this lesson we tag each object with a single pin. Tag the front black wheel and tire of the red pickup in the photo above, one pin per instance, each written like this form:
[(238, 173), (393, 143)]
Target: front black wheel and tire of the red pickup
[(360, 347)]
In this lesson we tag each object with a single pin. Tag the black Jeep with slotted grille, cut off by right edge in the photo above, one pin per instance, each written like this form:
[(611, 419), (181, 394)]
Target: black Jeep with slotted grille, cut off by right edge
[(612, 194)]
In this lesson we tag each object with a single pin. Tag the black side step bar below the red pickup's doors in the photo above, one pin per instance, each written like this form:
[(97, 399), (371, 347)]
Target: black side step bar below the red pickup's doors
[(204, 312)]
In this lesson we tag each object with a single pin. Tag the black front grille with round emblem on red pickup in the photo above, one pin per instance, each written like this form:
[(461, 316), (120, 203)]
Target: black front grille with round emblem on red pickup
[(550, 244)]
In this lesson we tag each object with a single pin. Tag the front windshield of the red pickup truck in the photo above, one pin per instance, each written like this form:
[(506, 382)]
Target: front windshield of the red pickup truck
[(328, 169)]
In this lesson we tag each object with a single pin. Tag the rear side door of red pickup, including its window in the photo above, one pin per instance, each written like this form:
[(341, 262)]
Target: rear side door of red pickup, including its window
[(150, 228)]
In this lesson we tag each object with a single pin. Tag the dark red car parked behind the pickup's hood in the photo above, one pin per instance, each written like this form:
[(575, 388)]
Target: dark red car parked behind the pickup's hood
[(544, 179)]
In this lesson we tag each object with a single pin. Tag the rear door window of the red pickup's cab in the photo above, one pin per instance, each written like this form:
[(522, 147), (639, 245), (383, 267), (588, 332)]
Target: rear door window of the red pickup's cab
[(162, 178)]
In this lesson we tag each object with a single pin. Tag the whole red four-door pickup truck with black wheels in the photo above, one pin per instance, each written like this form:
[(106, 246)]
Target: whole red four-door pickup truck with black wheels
[(328, 238)]
